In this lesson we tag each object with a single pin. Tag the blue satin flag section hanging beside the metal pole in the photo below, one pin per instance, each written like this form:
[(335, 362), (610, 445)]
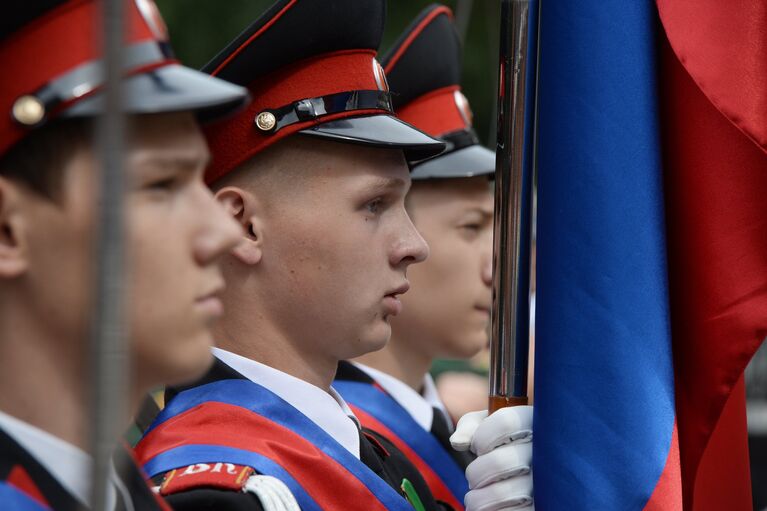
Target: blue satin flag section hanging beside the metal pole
[(604, 387)]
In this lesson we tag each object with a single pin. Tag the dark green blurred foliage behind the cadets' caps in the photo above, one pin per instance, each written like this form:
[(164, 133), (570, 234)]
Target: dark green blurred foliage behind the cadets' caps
[(201, 28)]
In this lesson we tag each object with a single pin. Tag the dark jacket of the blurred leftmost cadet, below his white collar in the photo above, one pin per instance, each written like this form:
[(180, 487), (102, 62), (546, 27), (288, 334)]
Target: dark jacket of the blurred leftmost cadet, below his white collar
[(20, 469)]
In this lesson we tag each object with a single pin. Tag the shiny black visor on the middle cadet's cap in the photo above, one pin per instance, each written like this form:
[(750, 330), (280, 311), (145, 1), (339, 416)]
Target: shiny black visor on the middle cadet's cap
[(380, 130)]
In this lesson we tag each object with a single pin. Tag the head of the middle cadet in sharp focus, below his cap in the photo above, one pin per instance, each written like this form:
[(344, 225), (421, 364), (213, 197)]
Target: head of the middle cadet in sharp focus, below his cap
[(328, 247)]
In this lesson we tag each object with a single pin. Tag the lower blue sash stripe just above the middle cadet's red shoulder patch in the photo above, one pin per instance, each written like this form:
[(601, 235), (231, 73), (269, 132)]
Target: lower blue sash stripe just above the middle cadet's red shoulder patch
[(192, 454)]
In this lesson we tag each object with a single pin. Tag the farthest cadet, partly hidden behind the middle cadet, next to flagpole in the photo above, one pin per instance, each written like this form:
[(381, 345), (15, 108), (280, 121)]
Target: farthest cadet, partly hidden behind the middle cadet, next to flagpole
[(446, 312)]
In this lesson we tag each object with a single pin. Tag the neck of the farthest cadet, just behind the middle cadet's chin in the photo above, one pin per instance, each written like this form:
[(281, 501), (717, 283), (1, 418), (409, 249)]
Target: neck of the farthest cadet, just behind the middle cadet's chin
[(400, 359)]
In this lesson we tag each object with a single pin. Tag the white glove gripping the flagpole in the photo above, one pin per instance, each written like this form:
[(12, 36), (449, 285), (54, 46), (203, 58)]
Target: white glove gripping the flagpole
[(500, 477)]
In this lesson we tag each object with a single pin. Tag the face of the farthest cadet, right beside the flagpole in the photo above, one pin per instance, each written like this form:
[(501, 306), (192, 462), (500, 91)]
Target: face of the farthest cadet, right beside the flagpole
[(447, 310)]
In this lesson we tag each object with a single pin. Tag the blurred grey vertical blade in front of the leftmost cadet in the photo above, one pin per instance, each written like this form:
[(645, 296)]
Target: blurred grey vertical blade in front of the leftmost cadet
[(109, 359)]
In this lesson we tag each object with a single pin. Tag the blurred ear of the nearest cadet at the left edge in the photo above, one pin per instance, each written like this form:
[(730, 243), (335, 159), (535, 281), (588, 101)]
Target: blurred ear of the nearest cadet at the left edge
[(13, 256)]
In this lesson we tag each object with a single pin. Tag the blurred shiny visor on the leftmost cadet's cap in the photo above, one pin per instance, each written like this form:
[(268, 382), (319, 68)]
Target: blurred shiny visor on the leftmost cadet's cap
[(171, 88)]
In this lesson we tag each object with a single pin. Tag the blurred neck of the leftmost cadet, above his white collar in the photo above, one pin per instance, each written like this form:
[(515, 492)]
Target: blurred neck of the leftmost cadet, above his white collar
[(41, 377)]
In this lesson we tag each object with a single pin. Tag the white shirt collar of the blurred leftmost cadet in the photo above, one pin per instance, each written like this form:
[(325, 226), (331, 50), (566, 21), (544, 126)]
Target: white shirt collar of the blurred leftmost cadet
[(68, 464)]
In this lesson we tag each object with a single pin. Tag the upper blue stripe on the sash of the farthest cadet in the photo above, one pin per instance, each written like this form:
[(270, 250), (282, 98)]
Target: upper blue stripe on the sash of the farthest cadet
[(392, 415)]
